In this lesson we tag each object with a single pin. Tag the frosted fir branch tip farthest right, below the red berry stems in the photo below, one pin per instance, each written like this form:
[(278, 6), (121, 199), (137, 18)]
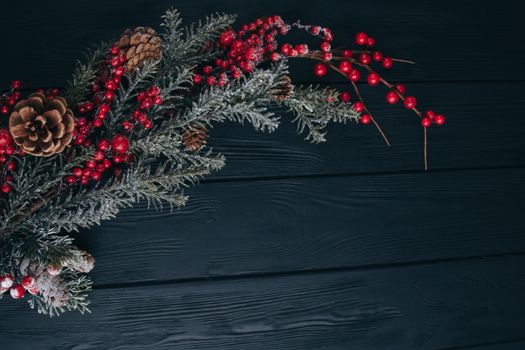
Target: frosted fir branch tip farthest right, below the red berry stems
[(315, 107)]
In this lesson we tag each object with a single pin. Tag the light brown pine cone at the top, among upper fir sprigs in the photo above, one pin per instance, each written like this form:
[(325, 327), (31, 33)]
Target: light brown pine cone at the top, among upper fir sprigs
[(139, 45)]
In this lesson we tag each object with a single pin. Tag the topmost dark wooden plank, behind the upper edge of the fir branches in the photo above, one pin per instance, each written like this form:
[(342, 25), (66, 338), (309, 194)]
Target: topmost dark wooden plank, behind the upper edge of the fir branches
[(450, 40)]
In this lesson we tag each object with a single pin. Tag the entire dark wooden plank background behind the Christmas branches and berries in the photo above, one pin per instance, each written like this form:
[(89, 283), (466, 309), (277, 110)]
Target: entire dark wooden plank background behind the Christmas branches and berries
[(345, 245)]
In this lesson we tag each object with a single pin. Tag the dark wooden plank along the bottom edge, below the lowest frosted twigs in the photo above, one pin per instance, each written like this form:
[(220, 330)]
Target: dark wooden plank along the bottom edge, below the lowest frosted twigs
[(419, 307)]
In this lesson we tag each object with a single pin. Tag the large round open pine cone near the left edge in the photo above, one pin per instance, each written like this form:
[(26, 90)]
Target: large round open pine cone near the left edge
[(42, 126)]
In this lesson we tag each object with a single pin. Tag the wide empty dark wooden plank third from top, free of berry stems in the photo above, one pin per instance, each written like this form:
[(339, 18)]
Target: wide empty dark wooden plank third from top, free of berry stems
[(315, 223)]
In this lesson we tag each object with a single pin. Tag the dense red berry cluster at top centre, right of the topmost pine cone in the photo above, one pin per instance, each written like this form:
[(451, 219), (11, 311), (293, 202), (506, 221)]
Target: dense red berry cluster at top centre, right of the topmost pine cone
[(243, 50)]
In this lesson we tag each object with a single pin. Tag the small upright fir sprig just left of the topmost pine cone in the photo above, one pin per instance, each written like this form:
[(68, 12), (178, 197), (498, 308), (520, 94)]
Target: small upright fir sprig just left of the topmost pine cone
[(84, 76)]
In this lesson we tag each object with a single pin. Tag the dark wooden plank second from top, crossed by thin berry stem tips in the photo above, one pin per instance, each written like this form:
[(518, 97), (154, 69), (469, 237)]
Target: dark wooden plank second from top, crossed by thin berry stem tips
[(484, 128)]
